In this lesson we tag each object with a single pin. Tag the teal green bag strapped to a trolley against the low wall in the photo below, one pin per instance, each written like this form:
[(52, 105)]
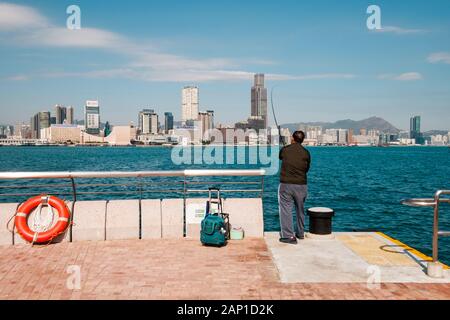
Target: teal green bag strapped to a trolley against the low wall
[(213, 232)]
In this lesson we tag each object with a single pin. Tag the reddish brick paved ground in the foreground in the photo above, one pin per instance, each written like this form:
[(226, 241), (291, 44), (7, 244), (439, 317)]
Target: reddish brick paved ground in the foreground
[(172, 269)]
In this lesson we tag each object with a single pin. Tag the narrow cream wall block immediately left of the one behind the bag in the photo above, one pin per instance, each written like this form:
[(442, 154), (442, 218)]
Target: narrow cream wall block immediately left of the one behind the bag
[(172, 218)]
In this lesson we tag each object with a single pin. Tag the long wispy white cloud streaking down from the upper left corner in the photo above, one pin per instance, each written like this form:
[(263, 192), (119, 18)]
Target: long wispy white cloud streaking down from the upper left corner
[(146, 61)]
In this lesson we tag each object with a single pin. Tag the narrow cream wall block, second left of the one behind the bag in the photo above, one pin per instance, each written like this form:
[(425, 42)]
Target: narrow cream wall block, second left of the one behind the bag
[(151, 219)]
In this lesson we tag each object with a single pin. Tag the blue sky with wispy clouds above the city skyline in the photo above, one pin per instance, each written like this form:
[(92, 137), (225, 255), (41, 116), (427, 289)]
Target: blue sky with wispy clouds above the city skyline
[(325, 63)]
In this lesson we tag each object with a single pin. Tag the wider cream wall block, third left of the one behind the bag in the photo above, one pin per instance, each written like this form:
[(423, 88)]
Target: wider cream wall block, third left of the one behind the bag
[(122, 220)]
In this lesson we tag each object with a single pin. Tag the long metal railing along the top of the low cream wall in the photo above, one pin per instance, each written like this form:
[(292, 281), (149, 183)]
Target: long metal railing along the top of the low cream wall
[(139, 183)]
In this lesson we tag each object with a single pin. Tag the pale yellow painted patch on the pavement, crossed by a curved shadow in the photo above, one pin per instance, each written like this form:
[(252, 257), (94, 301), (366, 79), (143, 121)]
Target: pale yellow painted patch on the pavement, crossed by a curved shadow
[(377, 252)]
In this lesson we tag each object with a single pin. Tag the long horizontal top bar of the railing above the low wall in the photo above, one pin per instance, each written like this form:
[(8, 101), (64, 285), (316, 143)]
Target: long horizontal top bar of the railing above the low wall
[(129, 174)]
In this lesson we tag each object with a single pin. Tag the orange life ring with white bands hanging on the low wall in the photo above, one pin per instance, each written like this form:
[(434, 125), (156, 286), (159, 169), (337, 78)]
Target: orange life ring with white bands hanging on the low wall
[(21, 220)]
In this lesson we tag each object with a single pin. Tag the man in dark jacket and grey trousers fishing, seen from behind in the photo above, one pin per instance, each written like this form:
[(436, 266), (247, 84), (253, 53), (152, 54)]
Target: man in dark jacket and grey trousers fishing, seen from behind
[(293, 189)]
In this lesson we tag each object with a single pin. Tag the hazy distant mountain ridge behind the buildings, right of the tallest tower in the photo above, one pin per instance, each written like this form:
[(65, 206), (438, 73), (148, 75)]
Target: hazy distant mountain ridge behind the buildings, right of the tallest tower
[(369, 124)]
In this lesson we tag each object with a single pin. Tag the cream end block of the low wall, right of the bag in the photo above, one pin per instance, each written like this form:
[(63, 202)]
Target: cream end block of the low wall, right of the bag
[(246, 213)]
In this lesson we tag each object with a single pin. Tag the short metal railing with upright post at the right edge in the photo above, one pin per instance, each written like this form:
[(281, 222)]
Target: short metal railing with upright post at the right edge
[(434, 203)]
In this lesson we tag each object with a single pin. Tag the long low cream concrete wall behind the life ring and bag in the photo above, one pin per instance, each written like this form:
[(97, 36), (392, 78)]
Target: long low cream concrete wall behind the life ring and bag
[(140, 219)]
